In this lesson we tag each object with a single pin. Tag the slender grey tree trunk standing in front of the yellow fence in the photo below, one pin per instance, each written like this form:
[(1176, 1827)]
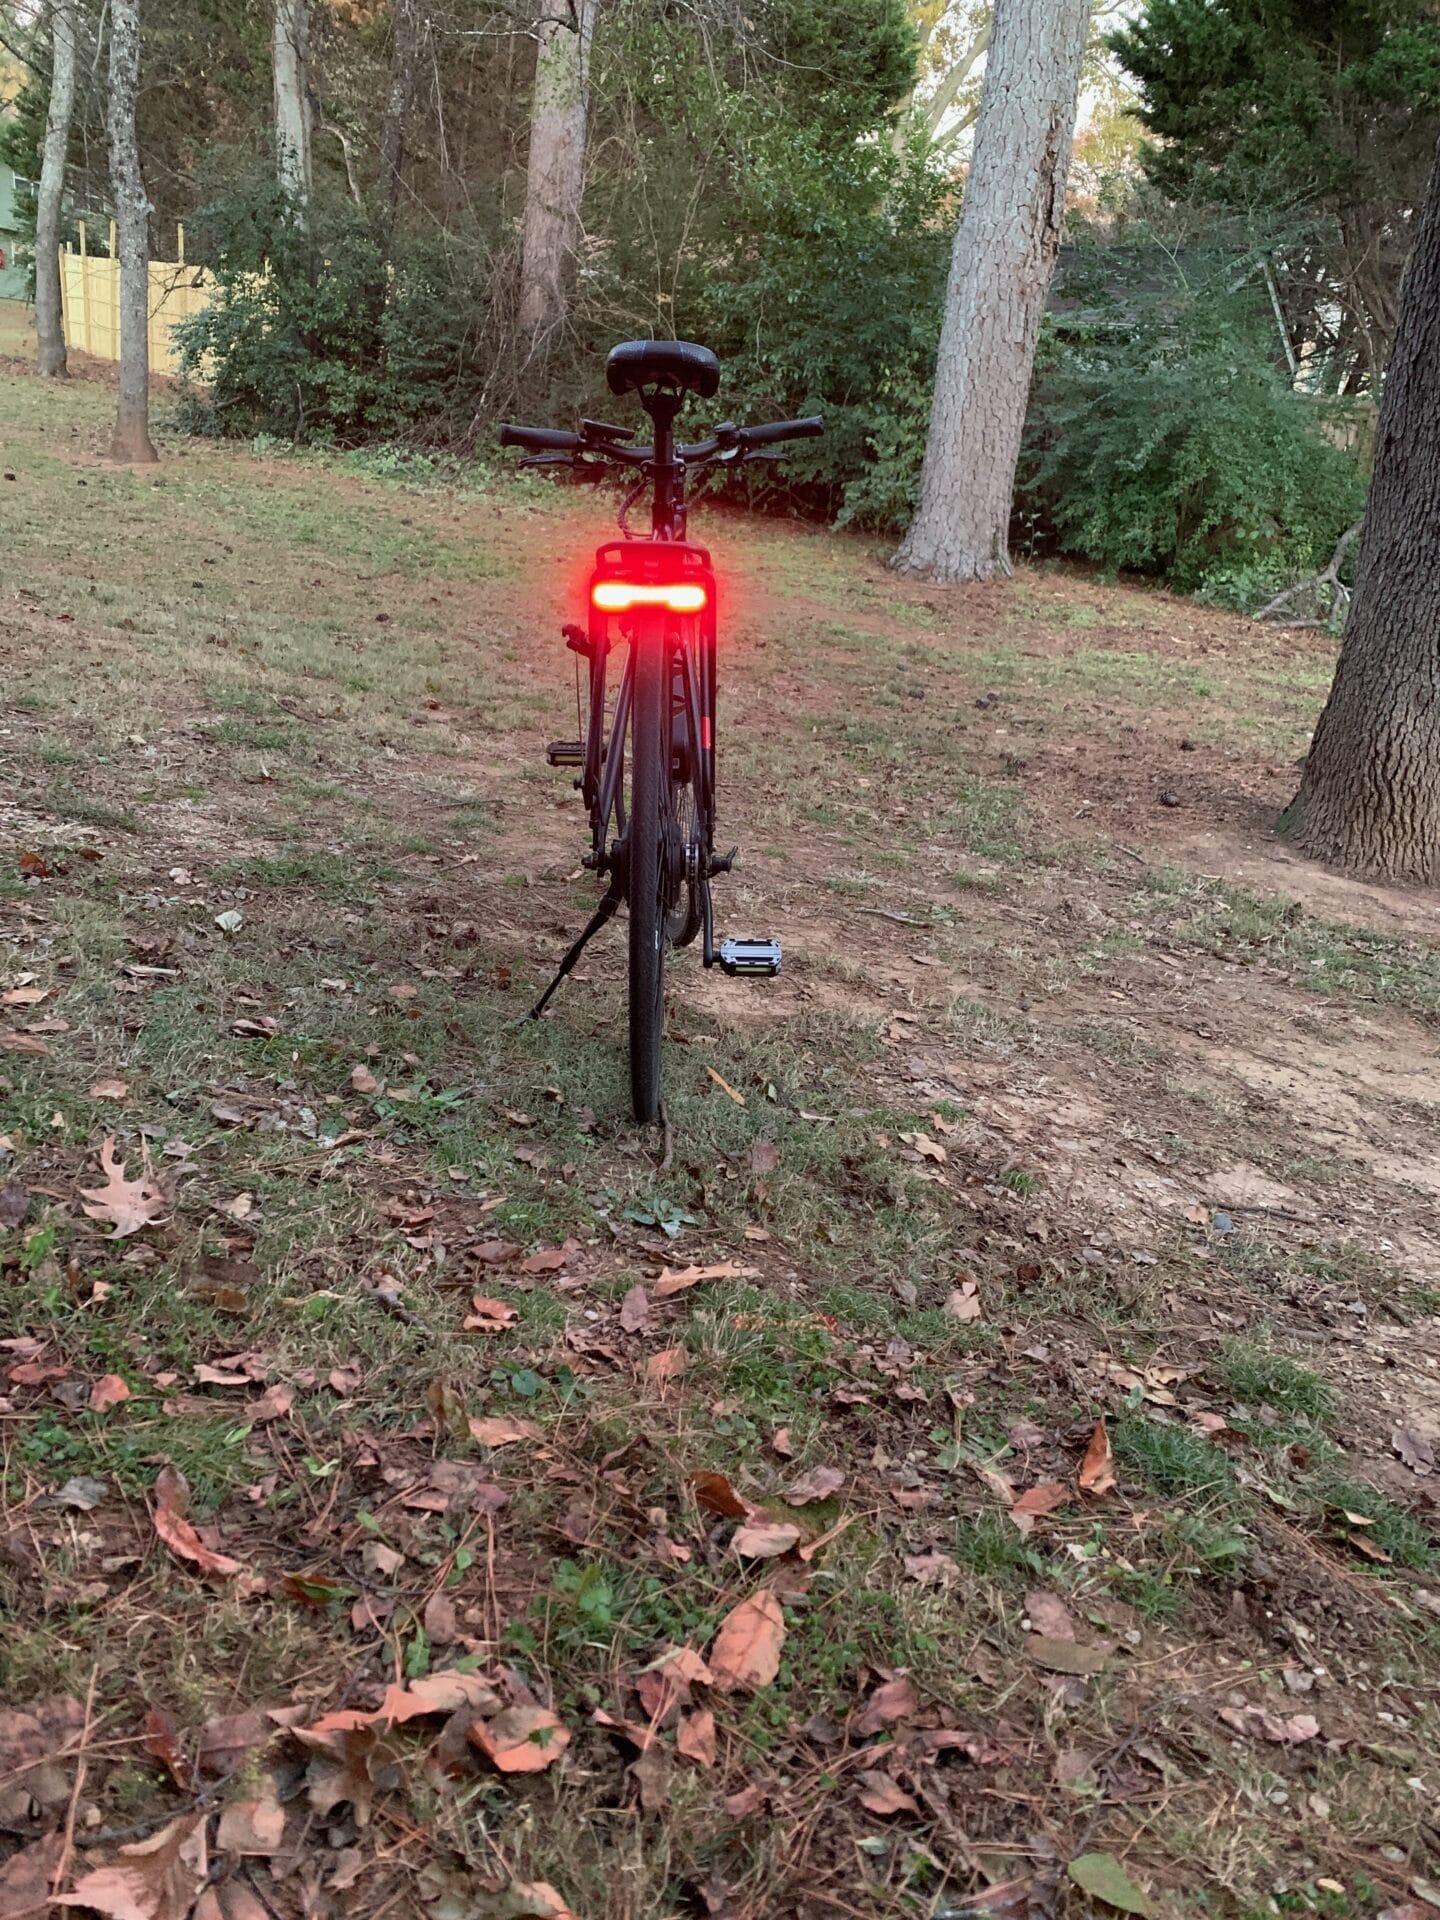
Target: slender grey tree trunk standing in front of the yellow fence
[(132, 441)]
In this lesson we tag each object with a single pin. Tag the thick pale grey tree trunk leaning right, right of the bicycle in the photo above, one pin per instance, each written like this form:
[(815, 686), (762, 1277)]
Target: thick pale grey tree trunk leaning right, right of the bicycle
[(1005, 254)]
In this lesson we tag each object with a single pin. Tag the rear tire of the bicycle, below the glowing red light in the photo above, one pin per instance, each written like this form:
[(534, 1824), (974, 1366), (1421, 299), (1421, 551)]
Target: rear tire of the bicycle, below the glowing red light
[(650, 792)]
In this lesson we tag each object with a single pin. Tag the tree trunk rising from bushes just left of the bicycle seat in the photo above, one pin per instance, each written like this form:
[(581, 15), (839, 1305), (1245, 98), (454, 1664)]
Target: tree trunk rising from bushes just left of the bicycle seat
[(558, 162)]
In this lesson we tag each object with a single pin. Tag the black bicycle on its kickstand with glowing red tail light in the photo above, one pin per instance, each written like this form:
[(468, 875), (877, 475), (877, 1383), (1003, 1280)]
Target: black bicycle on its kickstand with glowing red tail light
[(654, 604)]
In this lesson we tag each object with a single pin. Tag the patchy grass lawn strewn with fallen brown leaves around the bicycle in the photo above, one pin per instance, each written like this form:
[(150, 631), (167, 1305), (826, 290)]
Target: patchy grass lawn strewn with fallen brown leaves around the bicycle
[(368, 800)]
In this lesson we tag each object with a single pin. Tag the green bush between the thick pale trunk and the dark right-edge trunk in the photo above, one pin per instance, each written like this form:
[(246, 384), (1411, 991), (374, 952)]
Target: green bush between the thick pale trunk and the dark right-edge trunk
[(1184, 452)]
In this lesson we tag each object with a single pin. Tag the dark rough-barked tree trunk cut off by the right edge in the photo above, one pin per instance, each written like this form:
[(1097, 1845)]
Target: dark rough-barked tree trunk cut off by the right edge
[(1370, 796)]
